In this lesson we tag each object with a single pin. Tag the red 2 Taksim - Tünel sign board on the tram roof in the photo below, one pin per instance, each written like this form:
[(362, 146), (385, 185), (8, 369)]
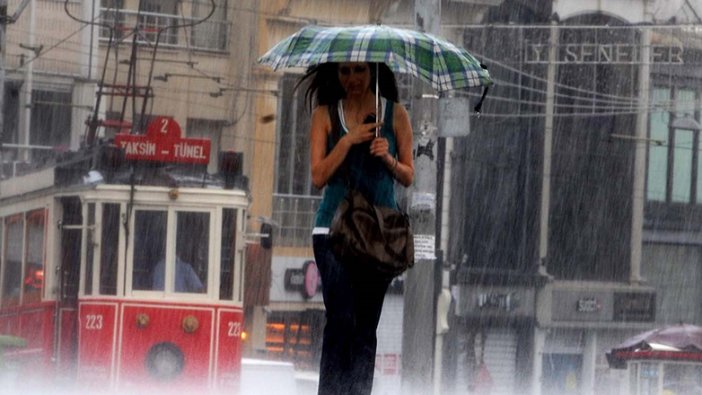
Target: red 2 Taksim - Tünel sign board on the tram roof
[(163, 143)]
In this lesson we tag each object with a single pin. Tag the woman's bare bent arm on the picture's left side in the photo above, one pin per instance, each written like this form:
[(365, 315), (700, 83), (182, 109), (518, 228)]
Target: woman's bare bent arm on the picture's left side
[(324, 165)]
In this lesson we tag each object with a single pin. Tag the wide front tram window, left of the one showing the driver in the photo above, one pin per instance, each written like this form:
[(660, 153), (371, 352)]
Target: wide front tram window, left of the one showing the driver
[(149, 248)]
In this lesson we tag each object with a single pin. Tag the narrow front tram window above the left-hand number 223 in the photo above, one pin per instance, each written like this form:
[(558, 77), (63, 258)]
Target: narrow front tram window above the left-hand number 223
[(108, 249)]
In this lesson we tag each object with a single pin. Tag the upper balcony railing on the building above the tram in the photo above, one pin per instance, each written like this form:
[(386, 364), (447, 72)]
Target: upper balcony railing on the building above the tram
[(209, 35)]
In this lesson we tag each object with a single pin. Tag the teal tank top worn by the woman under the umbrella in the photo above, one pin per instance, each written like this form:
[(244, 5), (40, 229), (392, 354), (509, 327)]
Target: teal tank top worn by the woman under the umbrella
[(368, 173)]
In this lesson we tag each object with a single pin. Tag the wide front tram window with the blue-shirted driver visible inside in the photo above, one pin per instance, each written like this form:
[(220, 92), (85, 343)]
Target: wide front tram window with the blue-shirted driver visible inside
[(192, 252)]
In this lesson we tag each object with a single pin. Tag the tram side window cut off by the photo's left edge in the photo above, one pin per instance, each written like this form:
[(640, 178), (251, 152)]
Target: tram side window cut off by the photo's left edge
[(12, 262)]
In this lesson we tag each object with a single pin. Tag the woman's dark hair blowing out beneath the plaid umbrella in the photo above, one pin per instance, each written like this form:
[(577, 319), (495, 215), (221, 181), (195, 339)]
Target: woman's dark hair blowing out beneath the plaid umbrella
[(324, 87)]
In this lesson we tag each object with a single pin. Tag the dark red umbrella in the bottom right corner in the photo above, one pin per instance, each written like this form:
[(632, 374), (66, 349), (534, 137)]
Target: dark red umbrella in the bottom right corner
[(681, 342)]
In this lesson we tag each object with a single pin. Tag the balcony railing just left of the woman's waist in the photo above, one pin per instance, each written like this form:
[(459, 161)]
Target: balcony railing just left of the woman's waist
[(295, 216)]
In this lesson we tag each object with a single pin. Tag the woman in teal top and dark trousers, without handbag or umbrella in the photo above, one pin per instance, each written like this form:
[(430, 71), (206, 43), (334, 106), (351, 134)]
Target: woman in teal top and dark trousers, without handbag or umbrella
[(345, 152)]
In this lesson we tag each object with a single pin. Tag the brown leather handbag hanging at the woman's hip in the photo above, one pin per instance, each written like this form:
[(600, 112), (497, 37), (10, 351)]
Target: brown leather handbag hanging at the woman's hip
[(379, 237)]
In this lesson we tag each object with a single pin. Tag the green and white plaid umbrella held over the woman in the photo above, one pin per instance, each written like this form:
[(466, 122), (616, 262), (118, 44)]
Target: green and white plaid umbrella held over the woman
[(436, 61)]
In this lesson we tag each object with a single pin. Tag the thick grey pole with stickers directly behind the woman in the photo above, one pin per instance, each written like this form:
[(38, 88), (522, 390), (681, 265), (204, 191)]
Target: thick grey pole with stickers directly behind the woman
[(423, 281)]
